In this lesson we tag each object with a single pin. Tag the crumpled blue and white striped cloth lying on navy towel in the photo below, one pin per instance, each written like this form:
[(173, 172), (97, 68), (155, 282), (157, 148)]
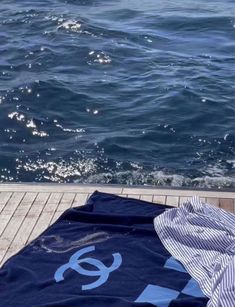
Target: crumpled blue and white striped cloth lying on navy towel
[(202, 238)]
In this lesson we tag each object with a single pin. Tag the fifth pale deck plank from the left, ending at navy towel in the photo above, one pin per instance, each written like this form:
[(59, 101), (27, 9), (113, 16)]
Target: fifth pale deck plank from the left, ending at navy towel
[(46, 216)]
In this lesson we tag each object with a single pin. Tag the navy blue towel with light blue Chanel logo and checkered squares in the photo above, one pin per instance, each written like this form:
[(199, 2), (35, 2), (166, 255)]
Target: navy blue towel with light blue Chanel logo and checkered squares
[(105, 253)]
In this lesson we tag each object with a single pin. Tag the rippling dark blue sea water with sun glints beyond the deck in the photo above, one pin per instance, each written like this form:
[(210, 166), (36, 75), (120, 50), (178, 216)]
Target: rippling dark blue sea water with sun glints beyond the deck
[(124, 91)]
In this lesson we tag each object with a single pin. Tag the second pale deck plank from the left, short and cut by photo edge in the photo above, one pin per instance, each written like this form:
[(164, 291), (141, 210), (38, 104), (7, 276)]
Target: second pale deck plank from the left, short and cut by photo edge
[(9, 209)]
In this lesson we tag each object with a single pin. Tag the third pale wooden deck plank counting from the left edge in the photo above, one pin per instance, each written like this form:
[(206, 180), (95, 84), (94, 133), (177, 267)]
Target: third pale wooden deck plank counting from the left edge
[(15, 223)]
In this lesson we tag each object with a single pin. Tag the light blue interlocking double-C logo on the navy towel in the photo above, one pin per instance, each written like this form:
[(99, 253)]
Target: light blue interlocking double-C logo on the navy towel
[(102, 271)]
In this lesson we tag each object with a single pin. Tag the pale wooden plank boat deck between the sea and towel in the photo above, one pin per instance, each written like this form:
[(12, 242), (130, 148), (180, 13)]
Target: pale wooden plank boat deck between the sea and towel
[(26, 210)]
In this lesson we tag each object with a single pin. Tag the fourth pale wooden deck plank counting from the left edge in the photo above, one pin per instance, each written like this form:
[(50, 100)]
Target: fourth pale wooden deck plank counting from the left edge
[(27, 226)]
